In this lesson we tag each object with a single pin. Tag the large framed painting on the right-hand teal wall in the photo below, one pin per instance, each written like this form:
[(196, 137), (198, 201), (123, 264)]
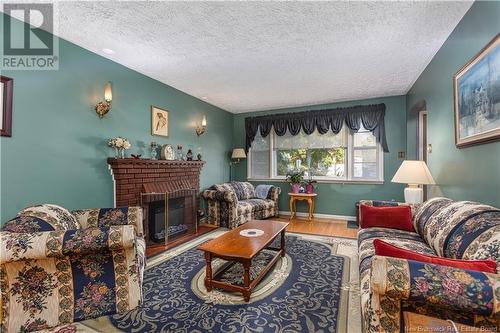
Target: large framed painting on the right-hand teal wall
[(477, 97)]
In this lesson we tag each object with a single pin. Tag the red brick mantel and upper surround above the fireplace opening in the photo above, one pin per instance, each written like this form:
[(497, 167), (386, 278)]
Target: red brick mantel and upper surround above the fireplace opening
[(129, 175)]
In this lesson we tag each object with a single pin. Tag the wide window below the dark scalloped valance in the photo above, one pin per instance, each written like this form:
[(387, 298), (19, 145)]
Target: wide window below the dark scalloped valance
[(345, 156)]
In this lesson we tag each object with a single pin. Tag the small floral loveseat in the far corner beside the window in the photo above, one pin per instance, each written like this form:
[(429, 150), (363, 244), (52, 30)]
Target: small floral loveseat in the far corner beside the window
[(232, 204)]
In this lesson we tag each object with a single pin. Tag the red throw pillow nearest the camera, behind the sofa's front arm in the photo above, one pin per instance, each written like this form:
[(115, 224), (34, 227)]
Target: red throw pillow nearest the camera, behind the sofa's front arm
[(385, 249)]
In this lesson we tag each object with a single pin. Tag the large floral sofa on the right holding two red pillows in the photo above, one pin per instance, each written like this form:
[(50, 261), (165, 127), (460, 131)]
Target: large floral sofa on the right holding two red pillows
[(393, 289)]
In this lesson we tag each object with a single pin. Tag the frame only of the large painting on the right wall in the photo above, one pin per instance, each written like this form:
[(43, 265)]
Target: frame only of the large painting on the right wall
[(478, 141)]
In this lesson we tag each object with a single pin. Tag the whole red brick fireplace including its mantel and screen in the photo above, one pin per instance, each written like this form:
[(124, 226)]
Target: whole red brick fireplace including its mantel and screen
[(168, 192)]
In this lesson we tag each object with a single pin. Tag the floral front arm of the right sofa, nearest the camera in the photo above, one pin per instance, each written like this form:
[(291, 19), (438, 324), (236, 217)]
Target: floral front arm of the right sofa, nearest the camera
[(446, 287)]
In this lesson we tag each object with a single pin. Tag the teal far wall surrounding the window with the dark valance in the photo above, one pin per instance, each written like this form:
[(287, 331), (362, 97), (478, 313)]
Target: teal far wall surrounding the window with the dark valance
[(337, 198)]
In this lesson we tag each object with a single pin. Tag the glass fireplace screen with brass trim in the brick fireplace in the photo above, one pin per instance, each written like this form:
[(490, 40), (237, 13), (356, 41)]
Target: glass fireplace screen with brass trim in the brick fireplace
[(169, 216)]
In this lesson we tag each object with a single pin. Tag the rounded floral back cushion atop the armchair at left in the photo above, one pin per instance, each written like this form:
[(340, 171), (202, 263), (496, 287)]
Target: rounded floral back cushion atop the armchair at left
[(58, 217)]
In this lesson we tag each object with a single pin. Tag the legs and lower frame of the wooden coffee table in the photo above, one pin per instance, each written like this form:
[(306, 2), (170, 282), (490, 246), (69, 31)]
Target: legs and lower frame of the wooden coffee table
[(213, 280)]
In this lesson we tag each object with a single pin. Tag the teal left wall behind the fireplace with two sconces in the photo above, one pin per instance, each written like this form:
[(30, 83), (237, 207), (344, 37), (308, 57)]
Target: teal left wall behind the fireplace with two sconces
[(58, 150)]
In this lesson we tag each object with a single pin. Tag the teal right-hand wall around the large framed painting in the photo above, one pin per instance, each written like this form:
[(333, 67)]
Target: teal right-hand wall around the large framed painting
[(471, 173)]
